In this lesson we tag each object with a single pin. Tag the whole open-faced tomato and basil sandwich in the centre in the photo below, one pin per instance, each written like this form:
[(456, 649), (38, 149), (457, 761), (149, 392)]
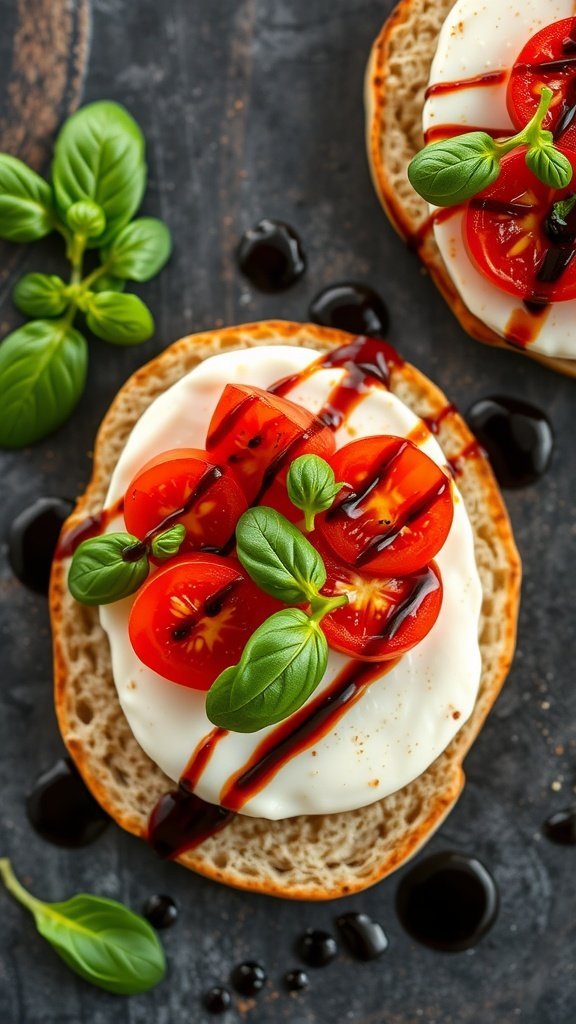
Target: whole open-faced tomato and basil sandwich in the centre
[(283, 609)]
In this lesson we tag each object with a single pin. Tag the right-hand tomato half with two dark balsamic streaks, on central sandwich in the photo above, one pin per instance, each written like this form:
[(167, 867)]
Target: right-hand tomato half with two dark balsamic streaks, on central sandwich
[(394, 514)]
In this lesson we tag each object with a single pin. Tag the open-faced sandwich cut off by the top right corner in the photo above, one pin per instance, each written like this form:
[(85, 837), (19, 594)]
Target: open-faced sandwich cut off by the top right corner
[(490, 204)]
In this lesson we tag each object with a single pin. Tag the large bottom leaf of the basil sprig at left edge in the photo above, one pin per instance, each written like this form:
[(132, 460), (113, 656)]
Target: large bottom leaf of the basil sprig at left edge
[(43, 376)]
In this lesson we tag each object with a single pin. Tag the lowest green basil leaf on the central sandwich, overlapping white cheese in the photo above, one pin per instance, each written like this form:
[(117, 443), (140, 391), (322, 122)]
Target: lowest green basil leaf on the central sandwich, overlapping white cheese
[(282, 664)]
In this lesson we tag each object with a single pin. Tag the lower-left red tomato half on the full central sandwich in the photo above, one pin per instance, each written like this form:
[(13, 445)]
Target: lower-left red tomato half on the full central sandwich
[(192, 619)]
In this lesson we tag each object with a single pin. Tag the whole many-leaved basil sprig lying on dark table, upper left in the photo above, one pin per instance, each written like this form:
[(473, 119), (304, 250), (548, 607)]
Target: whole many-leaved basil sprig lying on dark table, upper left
[(99, 180)]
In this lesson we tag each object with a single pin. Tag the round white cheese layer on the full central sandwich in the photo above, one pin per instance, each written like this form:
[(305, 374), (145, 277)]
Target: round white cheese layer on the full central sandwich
[(403, 721)]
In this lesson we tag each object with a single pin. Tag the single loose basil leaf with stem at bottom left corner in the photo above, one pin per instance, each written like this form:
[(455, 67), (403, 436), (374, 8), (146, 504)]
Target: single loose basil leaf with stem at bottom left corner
[(100, 940)]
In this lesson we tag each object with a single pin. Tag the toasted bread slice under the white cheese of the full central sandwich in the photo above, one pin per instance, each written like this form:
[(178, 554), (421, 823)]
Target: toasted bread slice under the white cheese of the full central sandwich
[(308, 858)]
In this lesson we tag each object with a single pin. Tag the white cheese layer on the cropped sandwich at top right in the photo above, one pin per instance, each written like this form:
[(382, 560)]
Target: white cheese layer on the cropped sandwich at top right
[(479, 37)]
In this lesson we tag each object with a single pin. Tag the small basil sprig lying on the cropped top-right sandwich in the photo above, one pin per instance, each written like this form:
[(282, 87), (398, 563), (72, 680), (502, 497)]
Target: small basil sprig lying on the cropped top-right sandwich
[(455, 170)]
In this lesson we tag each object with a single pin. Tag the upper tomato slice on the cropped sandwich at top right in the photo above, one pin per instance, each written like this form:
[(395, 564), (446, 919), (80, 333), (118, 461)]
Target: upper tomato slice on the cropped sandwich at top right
[(549, 59)]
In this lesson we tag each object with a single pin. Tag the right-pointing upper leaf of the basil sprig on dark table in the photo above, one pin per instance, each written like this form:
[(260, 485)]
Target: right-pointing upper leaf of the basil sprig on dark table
[(140, 251)]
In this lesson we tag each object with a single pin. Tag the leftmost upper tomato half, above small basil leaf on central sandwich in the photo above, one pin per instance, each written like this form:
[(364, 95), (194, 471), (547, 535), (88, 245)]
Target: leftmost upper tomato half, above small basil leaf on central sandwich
[(185, 486)]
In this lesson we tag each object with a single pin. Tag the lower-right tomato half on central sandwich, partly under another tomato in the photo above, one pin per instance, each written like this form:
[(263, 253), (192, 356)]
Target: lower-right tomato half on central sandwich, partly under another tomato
[(385, 618)]
